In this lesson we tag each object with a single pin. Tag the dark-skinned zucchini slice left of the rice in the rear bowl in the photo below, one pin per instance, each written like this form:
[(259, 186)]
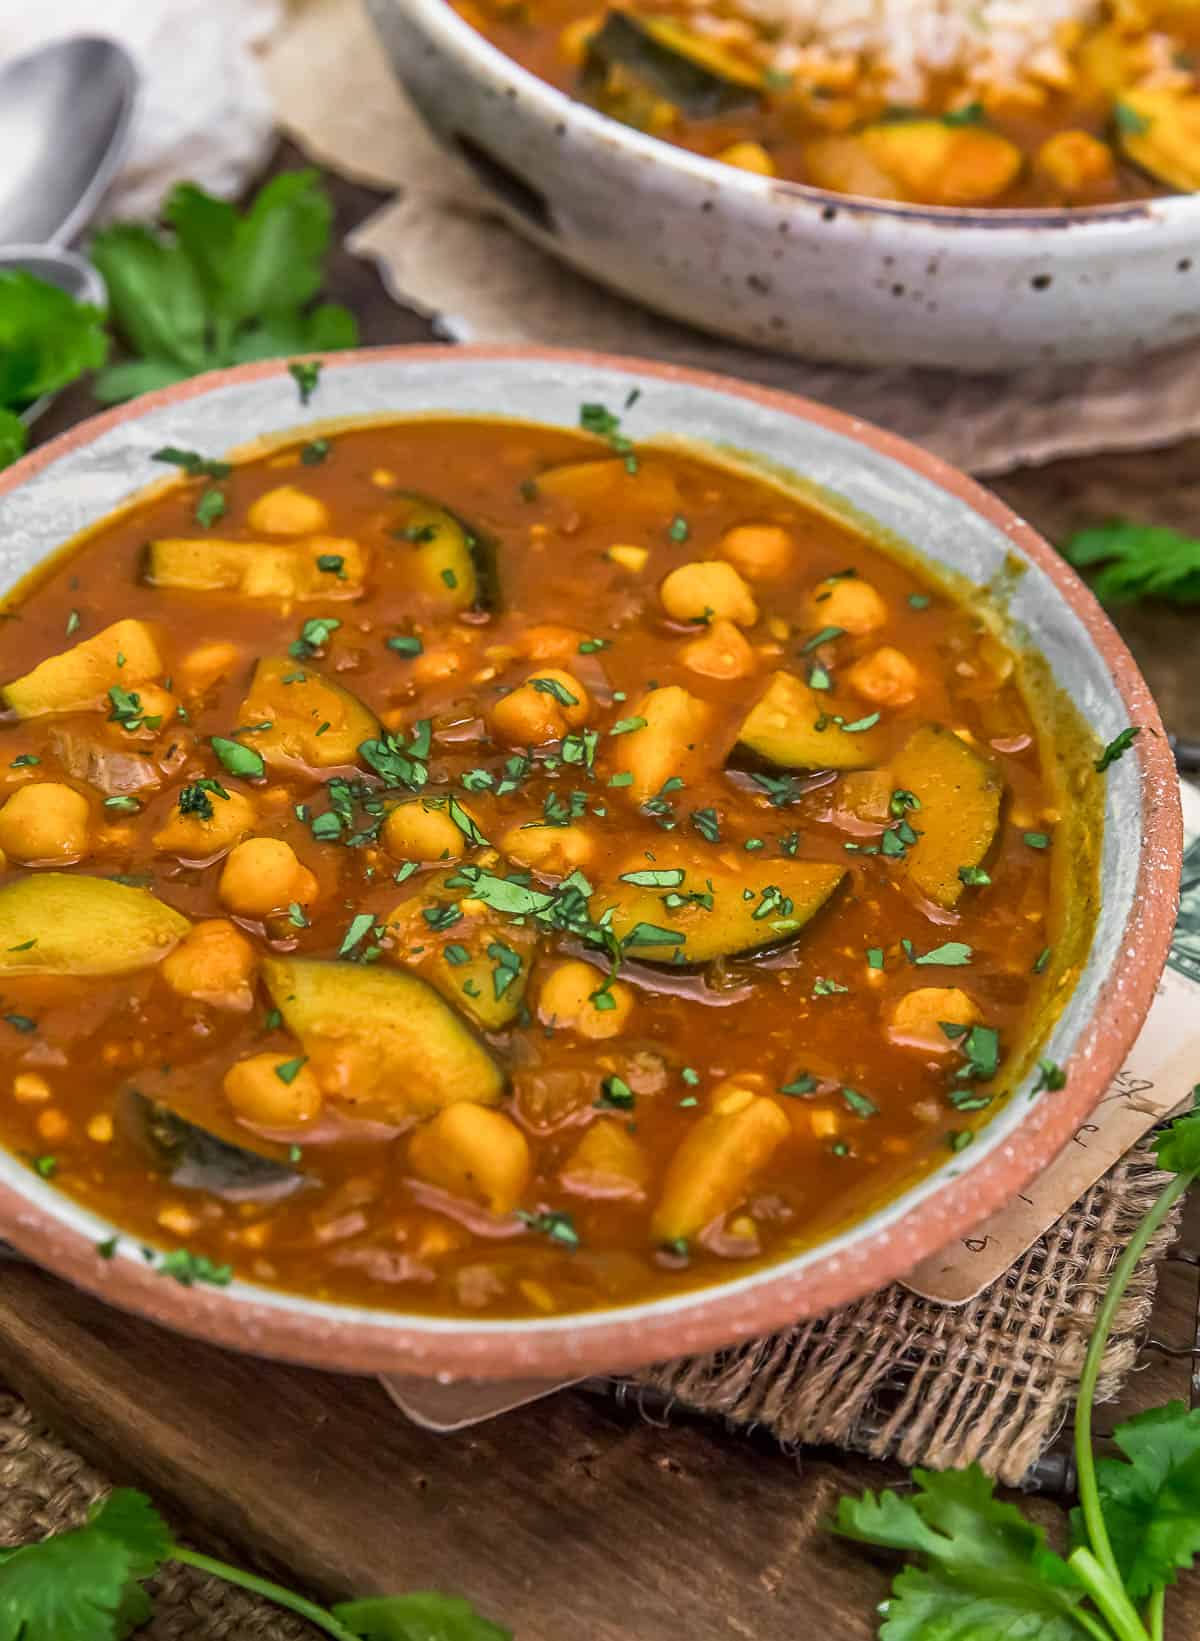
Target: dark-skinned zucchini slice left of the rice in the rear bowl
[(694, 75)]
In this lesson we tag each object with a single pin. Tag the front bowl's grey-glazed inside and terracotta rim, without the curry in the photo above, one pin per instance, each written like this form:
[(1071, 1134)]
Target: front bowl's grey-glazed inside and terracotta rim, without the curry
[(955, 526)]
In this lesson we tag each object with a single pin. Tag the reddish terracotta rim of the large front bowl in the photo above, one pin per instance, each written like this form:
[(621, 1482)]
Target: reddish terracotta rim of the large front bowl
[(293, 1328)]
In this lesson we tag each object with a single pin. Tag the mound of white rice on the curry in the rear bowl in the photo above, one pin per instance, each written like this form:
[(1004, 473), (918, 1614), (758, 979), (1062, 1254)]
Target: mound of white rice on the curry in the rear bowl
[(904, 42)]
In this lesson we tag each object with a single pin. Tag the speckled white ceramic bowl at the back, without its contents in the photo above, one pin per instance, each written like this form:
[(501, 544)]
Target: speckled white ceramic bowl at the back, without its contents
[(787, 267)]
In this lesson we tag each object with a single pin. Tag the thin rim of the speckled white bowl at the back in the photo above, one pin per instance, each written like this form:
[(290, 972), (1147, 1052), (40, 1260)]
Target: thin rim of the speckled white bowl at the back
[(556, 103)]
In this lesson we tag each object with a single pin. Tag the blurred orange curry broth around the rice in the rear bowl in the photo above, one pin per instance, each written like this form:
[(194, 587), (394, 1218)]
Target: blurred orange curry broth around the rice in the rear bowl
[(549, 39)]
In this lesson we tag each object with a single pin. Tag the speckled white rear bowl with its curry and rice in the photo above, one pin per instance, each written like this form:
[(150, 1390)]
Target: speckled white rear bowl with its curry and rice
[(973, 188)]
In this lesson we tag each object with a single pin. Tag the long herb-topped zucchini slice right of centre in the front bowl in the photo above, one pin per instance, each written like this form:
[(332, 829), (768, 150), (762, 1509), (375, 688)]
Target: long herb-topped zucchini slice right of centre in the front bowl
[(764, 907)]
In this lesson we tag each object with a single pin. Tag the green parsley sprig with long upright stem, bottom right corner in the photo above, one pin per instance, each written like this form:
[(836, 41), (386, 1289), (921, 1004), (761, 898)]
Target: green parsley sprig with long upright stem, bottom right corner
[(986, 1571)]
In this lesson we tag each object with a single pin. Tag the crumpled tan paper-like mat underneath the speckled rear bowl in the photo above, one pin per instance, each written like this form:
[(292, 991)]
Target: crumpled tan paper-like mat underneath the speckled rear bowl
[(446, 252)]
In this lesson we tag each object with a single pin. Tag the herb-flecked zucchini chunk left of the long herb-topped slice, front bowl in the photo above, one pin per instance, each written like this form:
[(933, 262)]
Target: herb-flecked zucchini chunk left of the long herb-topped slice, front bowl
[(480, 962)]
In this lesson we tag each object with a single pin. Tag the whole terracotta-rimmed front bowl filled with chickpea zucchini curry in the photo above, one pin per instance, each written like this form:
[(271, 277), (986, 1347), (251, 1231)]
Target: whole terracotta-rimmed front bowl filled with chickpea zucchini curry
[(524, 864)]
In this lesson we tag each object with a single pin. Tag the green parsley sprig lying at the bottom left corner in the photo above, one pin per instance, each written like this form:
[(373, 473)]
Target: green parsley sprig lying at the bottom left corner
[(88, 1584)]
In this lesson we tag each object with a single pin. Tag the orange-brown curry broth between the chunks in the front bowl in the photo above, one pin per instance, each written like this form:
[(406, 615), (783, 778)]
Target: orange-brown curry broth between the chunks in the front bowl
[(362, 1228)]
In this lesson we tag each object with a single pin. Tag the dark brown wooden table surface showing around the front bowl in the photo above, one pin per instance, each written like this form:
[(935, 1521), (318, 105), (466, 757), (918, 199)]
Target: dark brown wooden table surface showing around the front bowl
[(572, 1517)]
